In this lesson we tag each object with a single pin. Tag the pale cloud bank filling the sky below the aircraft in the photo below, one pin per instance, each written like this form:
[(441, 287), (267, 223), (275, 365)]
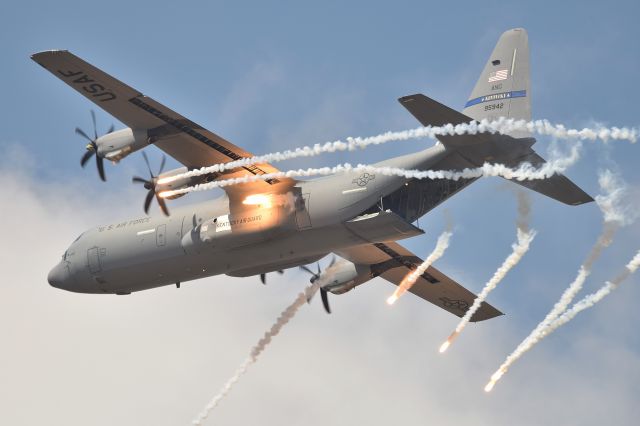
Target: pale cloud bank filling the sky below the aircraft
[(156, 357)]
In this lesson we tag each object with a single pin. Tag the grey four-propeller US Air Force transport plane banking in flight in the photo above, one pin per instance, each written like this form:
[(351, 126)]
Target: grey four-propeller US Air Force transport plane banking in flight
[(272, 225)]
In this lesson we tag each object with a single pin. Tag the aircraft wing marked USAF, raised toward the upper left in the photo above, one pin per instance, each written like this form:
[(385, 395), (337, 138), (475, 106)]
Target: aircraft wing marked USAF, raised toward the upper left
[(187, 142)]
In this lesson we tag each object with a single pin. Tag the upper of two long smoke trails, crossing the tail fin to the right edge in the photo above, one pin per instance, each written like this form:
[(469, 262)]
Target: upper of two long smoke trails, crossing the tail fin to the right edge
[(502, 125)]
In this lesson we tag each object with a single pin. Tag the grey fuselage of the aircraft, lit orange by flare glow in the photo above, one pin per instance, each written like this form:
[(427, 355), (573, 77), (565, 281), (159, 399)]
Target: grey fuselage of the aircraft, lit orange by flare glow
[(152, 251)]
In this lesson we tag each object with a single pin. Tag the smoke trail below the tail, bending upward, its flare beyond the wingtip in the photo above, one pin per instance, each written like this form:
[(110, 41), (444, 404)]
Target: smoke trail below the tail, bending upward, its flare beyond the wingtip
[(519, 249)]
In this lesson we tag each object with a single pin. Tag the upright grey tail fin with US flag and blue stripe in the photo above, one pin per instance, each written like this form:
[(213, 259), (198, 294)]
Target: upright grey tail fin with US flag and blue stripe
[(504, 89)]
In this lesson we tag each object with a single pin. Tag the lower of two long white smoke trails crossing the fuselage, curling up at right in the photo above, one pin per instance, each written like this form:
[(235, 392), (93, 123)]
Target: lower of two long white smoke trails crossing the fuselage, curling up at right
[(525, 171)]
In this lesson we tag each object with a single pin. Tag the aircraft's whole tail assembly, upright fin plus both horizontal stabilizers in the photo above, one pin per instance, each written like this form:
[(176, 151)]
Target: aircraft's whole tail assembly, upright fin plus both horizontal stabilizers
[(503, 90)]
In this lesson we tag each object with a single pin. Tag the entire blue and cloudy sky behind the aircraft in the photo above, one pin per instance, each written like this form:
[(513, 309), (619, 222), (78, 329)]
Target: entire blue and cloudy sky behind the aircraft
[(276, 75)]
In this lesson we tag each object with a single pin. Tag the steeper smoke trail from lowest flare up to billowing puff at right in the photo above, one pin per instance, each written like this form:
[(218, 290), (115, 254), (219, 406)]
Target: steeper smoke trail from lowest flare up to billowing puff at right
[(615, 214)]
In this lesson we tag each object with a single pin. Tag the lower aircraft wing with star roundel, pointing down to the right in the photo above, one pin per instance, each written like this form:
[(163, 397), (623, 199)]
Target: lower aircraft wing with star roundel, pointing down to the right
[(393, 262)]
